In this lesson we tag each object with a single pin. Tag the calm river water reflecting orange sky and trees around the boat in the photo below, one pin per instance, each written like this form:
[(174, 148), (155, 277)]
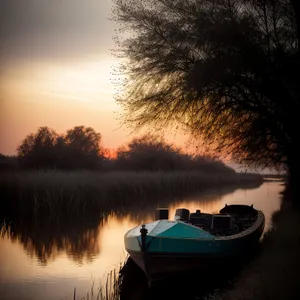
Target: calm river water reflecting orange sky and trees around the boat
[(48, 262)]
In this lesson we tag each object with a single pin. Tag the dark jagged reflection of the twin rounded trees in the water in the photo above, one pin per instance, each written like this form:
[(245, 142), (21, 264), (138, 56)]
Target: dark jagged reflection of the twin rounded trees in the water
[(79, 241)]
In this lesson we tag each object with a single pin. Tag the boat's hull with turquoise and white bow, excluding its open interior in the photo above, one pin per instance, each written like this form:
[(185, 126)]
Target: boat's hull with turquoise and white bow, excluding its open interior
[(172, 247)]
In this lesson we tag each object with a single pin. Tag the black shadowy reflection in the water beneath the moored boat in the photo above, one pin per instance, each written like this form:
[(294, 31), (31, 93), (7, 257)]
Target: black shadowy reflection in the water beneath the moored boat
[(133, 283)]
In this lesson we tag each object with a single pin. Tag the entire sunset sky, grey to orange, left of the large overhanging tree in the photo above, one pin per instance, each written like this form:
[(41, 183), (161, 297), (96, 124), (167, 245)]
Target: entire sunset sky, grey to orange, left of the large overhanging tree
[(56, 65)]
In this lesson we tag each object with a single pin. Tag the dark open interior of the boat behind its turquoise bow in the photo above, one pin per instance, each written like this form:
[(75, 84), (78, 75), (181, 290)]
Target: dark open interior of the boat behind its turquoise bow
[(231, 219)]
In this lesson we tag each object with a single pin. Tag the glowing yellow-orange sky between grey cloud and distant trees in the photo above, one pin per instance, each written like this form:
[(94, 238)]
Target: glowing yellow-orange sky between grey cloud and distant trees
[(61, 96)]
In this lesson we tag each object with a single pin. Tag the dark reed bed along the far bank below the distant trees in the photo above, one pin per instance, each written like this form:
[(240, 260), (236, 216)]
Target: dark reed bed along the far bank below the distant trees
[(74, 194)]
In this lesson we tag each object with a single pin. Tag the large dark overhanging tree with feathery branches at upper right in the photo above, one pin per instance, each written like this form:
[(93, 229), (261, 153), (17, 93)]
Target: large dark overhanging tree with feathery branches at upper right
[(225, 69)]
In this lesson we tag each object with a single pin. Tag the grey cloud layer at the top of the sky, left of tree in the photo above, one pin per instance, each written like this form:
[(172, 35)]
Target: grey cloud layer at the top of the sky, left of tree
[(54, 29)]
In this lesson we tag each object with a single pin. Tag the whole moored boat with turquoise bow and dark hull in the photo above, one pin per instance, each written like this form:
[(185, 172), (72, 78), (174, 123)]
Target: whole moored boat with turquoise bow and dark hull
[(194, 241)]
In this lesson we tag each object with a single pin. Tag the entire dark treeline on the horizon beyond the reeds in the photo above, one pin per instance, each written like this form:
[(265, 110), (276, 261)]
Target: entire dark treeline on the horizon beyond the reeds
[(81, 149)]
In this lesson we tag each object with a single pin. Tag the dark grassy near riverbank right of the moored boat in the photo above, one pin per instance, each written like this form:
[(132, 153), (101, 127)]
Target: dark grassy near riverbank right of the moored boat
[(274, 273)]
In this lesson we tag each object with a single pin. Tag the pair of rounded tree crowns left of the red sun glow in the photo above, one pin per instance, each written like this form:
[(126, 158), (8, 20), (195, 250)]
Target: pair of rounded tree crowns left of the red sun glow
[(79, 149)]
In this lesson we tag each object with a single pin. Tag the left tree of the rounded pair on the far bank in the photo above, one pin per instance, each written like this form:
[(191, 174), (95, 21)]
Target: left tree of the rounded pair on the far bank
[(37, 150)]
